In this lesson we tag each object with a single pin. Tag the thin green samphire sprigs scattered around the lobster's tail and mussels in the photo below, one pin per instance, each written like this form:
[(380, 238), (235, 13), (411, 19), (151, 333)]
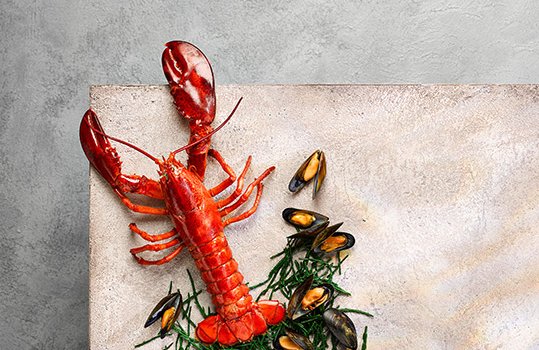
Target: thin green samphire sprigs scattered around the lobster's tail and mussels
[(293, 265)]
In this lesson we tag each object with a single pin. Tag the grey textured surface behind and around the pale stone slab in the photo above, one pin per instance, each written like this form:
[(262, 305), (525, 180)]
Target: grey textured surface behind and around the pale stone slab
[(51, 51)]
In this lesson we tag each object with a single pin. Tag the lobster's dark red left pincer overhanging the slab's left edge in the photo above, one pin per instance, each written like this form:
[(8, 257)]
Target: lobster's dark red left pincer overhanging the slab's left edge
[(98, 149)]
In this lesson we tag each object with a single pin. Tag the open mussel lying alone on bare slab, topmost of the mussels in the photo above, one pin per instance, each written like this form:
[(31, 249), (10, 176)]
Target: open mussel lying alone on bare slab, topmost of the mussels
[(313, 168)]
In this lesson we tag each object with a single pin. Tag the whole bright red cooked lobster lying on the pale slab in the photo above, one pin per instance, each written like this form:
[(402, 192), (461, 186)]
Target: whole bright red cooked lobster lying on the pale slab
[(199, 220)]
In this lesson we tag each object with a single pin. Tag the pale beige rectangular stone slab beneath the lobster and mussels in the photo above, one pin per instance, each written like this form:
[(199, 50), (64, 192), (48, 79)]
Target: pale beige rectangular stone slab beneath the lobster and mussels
[(438, 183)]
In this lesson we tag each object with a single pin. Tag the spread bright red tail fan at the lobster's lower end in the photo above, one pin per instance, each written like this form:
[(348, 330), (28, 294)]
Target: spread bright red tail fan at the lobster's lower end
[(242, 329)]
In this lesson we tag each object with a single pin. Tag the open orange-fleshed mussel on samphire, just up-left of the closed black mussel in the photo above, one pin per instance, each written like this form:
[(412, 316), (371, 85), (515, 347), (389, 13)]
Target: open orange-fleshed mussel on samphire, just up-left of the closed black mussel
[(306, 298)]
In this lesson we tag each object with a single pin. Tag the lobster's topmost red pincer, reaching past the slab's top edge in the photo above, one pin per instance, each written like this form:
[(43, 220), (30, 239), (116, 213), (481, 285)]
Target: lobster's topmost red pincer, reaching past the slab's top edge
[(191, 81)]
